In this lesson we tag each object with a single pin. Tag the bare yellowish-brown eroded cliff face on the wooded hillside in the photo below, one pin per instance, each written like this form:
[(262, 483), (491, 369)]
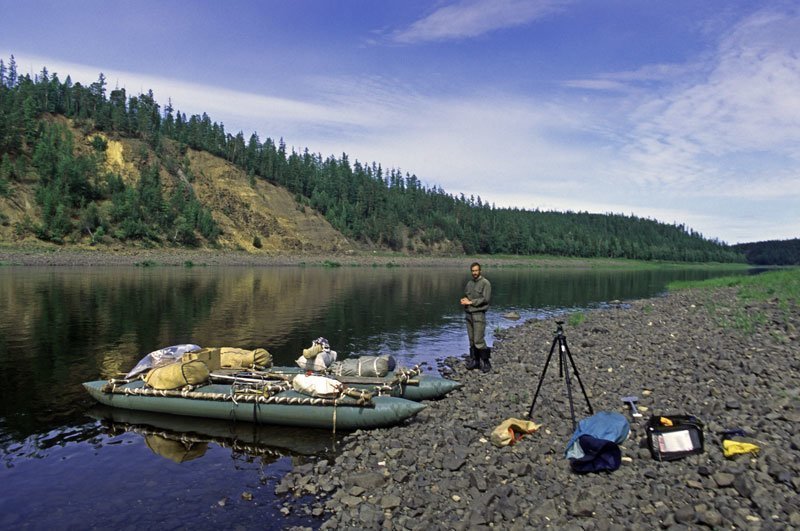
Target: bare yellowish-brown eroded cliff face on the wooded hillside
[(253, 215)]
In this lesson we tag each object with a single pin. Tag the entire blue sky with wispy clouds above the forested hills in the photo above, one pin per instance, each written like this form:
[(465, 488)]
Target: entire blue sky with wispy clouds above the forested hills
[(682, 111)]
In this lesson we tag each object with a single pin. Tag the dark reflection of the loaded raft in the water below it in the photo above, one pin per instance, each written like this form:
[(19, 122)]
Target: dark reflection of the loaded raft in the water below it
[(180, 438)]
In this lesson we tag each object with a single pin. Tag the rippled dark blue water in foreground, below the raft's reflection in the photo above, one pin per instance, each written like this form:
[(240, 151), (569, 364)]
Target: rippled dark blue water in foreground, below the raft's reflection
[(117, 475)]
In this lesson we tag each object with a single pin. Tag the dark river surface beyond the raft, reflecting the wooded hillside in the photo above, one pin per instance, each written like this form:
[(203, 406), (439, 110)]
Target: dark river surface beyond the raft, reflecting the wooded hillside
[(60, 327)]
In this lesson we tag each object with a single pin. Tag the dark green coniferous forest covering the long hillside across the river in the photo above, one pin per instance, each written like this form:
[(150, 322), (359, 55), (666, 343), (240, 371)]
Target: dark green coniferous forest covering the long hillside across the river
[(365, 202)]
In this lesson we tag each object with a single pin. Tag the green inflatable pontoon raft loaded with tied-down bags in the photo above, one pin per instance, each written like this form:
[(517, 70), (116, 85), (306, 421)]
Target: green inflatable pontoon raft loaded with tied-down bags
[(238, 384)]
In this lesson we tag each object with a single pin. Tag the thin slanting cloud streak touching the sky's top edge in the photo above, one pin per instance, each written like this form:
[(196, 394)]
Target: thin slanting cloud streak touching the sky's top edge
[(472, 18)]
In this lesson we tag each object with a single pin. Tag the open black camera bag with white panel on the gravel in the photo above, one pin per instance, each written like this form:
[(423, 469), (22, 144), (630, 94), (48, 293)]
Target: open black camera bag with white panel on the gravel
[(667, 443)]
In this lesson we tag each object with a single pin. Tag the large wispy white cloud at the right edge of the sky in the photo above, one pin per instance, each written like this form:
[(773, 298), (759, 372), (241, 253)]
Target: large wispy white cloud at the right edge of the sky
[(725, 132)]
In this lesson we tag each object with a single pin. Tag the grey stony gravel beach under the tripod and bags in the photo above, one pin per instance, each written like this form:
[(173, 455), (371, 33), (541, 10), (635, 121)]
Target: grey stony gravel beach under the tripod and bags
[(440, 471)]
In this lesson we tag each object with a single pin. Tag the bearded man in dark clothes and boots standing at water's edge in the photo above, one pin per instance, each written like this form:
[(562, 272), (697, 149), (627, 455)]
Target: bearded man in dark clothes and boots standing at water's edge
[(477, 293)]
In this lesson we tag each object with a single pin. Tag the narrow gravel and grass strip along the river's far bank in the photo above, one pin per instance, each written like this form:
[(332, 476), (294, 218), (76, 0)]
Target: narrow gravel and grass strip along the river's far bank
[(58, 256)]
